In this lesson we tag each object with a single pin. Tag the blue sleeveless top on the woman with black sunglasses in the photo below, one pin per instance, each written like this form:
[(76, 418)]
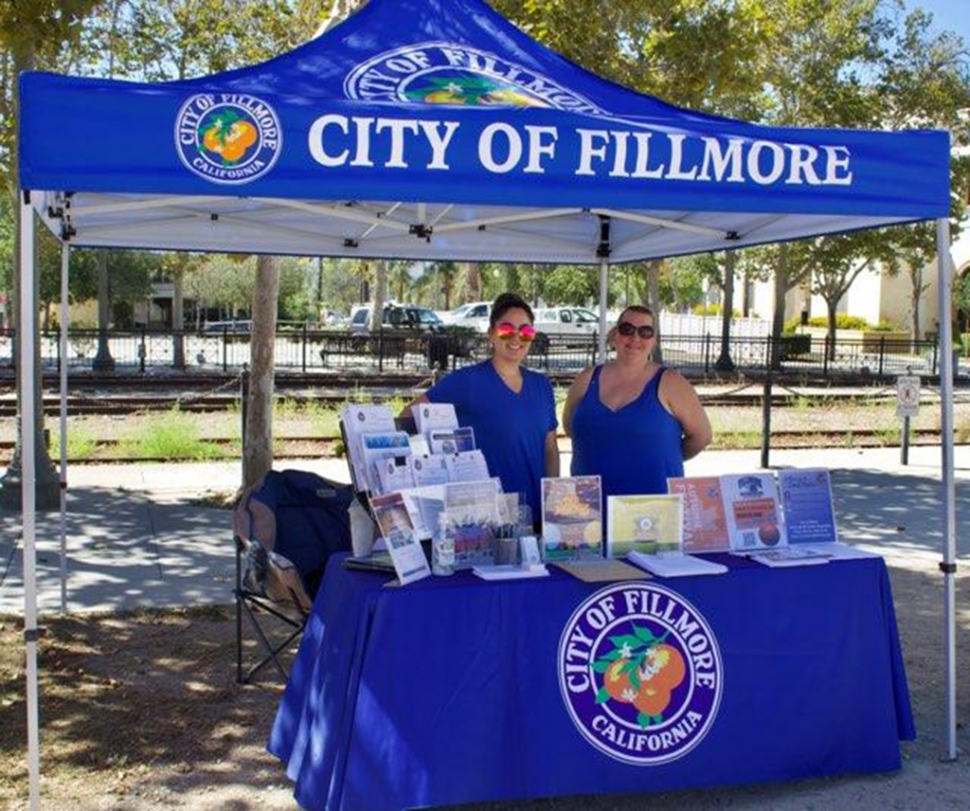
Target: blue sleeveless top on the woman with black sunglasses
[(633, 449)]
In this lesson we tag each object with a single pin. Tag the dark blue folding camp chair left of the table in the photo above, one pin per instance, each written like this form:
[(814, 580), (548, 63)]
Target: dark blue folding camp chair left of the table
[(285, 528)]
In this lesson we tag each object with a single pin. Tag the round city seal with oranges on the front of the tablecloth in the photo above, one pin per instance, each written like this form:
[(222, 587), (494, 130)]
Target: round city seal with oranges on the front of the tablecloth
[(640, 673)]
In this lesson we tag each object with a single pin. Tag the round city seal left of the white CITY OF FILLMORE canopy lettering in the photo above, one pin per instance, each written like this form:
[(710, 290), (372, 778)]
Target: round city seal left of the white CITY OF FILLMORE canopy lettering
[(230, 138)]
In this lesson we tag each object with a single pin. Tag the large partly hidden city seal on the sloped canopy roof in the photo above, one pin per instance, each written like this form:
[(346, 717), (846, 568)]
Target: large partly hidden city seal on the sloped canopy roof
[(445, 73)]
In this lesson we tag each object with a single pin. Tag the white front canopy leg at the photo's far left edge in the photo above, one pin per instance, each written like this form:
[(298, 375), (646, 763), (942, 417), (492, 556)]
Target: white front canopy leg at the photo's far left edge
[(28, 485)]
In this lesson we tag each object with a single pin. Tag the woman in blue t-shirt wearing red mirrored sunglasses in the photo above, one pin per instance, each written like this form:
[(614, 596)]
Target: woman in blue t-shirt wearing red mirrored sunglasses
[(511, 409)]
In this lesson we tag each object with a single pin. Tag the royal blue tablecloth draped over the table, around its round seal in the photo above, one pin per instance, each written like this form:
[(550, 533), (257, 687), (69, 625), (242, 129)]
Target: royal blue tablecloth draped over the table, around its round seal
[(451, 690)]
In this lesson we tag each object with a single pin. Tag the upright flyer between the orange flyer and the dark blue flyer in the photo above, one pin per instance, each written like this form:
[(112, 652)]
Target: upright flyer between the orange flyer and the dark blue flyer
[(753, 513)]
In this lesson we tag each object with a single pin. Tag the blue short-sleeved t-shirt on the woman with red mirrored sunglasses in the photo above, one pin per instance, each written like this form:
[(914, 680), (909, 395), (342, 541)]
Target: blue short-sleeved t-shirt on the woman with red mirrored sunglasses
[(510, 429)]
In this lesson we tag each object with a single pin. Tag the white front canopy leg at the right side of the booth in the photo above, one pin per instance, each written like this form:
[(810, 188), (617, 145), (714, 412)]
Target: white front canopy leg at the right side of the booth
[(948, 566)]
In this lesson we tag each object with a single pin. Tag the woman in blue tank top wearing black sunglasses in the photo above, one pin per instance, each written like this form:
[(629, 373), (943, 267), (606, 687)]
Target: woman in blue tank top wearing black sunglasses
[(632, 421)]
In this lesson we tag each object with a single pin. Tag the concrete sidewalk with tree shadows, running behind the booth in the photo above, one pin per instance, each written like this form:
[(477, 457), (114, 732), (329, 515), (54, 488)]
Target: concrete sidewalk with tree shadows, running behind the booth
[(135, 539)]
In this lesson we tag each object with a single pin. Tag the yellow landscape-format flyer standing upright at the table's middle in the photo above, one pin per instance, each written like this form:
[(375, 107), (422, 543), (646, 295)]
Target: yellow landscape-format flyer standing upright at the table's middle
[(648, 524)]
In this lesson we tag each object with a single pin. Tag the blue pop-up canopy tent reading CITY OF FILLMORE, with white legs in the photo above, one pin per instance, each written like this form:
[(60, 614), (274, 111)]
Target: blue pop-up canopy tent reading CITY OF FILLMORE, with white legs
[(435, 129)]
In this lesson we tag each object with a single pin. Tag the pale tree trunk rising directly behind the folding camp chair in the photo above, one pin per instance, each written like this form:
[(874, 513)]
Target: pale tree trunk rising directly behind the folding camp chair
[(258, 439)]
